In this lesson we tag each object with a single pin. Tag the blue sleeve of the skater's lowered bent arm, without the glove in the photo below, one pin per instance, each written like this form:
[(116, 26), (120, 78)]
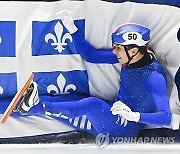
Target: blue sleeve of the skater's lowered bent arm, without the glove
[(162, 117)]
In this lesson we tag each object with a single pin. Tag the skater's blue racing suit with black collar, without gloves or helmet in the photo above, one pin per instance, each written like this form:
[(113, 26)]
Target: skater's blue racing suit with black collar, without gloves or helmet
[(142, 88)]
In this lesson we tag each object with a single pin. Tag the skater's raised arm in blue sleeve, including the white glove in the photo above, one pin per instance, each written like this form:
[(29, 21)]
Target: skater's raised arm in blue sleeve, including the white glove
[(87, 51)]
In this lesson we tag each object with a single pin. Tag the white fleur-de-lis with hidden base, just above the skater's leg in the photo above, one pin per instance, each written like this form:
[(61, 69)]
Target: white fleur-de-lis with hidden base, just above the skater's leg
[(61, 89)]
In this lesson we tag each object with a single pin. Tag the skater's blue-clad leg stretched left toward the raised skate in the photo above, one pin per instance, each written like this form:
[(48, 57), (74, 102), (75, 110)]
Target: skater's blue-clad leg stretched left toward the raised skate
[(96, 110)]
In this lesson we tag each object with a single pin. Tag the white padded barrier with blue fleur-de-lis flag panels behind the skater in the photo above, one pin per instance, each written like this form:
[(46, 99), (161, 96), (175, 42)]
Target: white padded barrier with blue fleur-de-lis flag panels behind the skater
[(24, 49)]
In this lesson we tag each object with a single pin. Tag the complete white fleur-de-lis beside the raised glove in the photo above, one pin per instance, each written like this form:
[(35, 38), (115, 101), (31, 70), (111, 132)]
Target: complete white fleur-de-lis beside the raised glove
[(58, 40)]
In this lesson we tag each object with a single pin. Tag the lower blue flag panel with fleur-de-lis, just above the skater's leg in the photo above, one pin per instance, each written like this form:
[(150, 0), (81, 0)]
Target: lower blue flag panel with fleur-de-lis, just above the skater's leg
[(56, 83)]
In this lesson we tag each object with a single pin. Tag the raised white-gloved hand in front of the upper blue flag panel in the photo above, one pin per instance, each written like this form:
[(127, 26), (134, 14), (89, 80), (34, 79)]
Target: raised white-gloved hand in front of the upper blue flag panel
[(67, 21)]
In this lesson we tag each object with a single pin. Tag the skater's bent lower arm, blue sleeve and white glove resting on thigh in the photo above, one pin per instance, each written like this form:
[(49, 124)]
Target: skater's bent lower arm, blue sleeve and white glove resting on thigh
[(162, 117)]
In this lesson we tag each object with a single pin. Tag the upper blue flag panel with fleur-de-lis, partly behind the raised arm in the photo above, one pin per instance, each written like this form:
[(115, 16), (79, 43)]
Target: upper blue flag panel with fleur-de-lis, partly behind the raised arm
[(52, 38)]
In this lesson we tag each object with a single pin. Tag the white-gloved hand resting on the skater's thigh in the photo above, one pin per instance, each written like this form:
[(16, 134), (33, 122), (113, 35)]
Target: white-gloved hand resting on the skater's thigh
[(119, 108)]
